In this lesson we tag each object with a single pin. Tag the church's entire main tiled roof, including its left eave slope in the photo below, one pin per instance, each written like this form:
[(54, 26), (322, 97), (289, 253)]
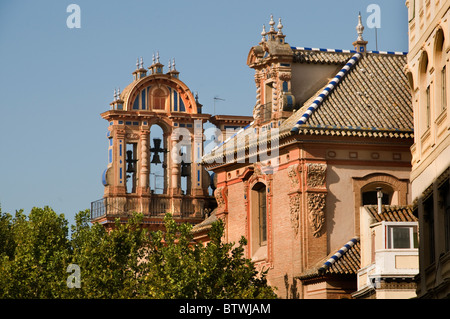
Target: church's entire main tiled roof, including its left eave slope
[(371, 99)]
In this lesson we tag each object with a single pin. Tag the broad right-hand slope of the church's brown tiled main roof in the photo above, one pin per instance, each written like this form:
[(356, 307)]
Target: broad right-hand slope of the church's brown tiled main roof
[(373, 97)]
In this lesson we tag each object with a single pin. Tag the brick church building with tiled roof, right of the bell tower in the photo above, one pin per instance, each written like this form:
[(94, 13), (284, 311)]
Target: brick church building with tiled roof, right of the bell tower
[(331, 133)]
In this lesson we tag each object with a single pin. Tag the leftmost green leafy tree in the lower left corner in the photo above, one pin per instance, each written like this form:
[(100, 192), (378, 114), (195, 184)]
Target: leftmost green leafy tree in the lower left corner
[(41, 251)]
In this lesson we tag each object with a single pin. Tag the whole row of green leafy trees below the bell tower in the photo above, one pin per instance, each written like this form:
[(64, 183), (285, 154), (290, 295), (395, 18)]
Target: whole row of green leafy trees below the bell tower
[(127, 262)]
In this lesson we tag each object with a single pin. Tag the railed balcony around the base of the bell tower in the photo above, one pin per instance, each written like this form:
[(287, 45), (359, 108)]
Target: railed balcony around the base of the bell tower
[(154, 206)]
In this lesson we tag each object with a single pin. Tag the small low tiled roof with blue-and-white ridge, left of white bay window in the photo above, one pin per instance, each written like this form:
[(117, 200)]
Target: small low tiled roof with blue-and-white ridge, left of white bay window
[(346, 261)]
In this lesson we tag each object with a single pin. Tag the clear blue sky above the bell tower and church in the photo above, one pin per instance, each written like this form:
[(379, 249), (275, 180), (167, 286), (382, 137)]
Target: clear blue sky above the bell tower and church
[(55, 81)]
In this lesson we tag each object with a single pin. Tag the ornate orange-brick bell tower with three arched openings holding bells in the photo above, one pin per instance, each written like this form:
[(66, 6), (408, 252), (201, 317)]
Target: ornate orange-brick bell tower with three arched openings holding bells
[(155, 143)]
